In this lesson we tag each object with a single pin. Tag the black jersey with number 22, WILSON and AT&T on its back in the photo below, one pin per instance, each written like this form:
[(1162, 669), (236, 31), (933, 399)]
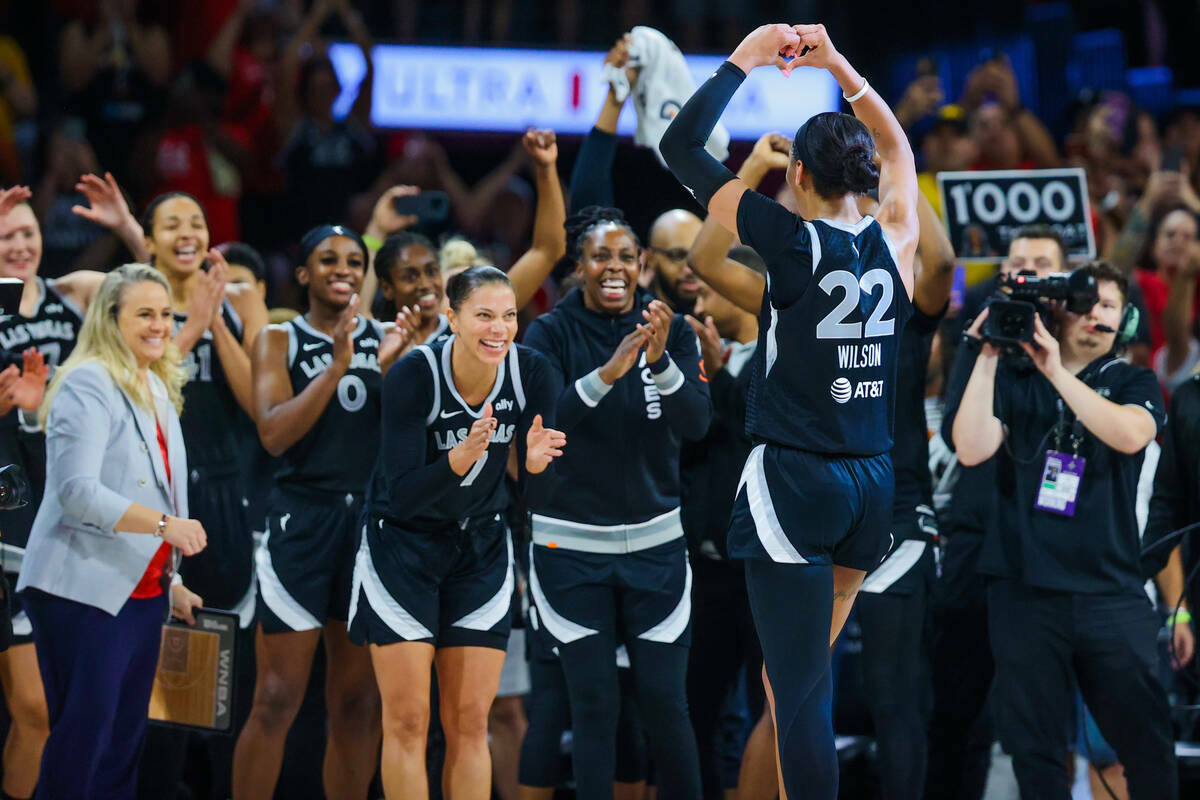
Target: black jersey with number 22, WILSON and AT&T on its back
[(829, 333)]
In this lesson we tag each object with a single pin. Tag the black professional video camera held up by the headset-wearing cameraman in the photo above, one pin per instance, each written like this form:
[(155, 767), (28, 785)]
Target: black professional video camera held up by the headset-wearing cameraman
[(1023, 296)]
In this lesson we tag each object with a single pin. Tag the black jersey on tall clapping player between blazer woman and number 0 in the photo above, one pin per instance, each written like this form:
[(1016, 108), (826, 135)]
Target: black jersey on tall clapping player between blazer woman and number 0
[(211, 411)]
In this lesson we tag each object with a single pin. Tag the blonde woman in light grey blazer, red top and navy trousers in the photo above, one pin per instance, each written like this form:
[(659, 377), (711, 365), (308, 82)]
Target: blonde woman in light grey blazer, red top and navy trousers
[(101, 554)]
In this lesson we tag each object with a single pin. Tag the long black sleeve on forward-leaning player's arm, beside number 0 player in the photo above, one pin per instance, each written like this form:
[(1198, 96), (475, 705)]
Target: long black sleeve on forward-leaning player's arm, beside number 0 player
[(413, 483)]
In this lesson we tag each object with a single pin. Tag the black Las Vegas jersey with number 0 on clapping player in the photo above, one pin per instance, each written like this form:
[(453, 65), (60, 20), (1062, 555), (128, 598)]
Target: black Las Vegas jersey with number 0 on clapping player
[(338, 454)]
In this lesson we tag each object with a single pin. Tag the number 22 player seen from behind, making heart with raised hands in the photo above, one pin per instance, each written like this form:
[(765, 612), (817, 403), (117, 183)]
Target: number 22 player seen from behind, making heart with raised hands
[(815, 502)]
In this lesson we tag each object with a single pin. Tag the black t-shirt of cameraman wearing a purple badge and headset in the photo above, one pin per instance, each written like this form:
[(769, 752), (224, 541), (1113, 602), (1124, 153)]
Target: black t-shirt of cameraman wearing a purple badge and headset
[(1097, 550)]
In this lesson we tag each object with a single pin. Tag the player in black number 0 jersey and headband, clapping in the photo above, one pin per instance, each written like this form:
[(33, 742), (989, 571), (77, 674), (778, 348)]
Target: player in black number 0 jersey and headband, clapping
[(317, 383)]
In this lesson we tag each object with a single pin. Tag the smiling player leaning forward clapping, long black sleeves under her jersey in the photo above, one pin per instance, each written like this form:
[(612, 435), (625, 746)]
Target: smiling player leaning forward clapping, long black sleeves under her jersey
[(434, 578)]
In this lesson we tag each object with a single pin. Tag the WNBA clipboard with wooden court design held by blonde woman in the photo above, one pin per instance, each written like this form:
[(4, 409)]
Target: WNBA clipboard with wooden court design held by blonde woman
[(194, 687)]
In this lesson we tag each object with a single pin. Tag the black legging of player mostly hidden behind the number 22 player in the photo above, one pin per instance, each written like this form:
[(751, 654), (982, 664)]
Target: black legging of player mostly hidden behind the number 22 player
[(896, 684)]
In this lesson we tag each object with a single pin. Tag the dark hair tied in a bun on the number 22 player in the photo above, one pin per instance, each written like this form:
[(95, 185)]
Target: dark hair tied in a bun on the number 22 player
[(838, 153)]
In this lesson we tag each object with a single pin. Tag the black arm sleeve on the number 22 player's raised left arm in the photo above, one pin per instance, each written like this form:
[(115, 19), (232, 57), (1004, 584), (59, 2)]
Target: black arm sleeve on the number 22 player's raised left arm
[(683, 145)]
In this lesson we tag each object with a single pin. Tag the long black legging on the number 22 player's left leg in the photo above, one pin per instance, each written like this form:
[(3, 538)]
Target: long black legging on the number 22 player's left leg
[(793, 607)]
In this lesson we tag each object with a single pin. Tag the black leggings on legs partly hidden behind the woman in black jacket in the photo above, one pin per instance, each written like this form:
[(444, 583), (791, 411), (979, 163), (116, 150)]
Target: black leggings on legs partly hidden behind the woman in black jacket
[(550, 715)]
